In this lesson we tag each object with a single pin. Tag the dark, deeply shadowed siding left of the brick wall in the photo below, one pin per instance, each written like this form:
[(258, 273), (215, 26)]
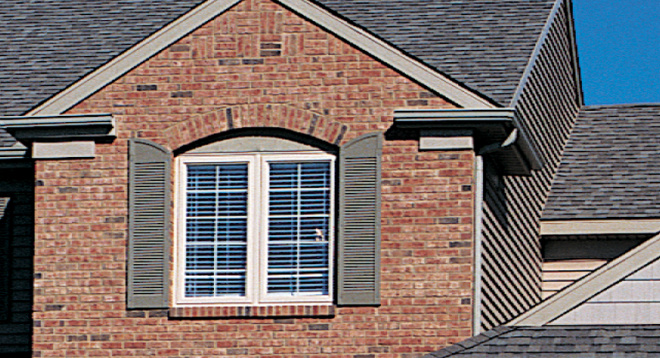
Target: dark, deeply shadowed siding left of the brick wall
[(17, 238)]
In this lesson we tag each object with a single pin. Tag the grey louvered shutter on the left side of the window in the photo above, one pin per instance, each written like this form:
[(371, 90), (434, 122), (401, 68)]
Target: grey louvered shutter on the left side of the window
[(149, 221)]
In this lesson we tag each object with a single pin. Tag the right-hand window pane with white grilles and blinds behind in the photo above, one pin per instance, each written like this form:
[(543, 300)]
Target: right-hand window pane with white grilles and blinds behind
[(299, 214)]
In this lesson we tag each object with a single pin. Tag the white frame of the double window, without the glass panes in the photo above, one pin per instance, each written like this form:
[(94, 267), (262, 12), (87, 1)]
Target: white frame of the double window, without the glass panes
[(257, 228)]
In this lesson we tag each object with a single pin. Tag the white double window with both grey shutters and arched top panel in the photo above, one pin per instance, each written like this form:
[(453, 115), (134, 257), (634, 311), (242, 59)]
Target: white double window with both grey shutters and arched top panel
[(257, 221)]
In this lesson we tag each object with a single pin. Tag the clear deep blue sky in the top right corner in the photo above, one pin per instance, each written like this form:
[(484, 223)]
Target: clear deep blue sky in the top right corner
[(619, 49)]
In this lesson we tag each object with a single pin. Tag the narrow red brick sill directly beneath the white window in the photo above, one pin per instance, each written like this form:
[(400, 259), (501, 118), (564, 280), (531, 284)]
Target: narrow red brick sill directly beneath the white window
[(252, 311)]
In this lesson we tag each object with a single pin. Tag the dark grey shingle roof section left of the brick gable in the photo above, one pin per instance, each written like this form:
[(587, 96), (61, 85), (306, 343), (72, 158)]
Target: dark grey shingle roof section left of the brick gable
[(50, 44)]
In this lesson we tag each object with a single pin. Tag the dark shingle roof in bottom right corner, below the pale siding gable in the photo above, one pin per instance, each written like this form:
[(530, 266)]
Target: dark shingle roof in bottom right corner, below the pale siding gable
[(638, 341)]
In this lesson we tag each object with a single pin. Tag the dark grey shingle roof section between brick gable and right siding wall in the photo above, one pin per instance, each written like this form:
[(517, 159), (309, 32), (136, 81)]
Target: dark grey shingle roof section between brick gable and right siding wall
[(484, 44)]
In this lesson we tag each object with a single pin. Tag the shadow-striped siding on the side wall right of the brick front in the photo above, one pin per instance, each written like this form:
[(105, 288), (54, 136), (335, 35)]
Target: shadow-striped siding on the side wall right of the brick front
[(547, 109)]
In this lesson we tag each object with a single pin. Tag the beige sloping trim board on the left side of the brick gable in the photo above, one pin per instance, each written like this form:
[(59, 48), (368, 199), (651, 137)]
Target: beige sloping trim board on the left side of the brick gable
[(134, 56)]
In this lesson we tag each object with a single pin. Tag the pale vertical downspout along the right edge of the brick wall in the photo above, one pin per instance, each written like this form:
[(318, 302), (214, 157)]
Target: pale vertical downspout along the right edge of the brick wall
[(478, 227)]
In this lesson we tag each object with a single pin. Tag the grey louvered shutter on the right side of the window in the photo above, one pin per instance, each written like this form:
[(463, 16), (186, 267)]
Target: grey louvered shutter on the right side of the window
[(358, 281)]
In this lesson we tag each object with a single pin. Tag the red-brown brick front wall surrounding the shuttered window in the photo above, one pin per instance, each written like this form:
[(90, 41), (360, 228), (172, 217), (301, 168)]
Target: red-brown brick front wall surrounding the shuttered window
[(257, 65)]
